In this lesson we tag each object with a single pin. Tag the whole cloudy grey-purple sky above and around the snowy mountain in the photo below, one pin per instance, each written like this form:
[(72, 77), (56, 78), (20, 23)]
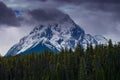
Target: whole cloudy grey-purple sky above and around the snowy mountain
[(19, 17)]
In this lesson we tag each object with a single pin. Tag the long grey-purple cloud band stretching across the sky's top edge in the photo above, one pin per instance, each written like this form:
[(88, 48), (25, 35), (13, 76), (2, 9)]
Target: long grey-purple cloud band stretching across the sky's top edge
[(34, 4)]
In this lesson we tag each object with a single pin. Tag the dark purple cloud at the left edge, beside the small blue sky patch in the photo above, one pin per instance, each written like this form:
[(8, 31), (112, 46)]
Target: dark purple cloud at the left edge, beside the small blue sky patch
[(7, 16)]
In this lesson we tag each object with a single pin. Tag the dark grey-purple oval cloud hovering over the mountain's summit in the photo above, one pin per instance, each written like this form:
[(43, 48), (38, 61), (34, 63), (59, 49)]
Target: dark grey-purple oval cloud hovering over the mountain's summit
[(47, 15)]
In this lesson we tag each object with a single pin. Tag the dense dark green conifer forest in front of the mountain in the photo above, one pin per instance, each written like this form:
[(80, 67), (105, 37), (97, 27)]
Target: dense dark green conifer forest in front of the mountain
[(101, 62)]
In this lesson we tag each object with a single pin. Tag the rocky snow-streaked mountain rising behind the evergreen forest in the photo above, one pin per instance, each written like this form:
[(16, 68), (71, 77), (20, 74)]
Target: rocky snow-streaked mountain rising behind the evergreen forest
[(54, 36)]
